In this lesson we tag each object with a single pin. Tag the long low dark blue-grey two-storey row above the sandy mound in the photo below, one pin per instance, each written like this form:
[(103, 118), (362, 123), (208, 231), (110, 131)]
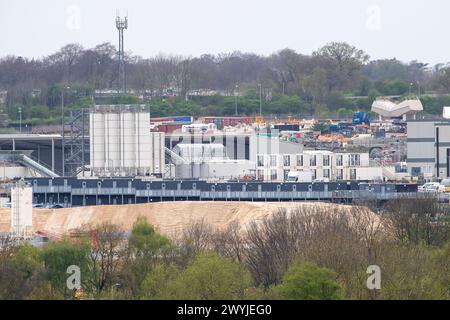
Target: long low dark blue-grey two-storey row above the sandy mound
[(85, 192)]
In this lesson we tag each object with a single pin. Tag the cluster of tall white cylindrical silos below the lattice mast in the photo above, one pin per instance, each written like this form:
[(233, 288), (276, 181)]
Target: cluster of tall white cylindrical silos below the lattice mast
[(122, 144)]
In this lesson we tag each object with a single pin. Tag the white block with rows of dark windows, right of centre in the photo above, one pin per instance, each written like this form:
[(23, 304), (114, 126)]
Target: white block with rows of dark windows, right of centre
[(324, 166)]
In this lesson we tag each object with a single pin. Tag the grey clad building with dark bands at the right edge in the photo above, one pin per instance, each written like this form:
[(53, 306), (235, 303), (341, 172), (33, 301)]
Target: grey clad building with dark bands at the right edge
[(429, 148)]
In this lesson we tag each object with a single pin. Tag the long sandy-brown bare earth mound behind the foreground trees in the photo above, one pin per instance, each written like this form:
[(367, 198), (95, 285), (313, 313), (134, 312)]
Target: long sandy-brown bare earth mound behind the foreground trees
[(168, 217)]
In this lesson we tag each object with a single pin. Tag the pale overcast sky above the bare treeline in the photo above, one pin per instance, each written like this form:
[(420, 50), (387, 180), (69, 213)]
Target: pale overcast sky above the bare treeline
[(405, 29)]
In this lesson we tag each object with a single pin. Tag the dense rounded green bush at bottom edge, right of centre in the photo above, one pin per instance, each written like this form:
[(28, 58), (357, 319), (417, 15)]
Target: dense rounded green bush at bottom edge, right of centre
[(307, 281)]
